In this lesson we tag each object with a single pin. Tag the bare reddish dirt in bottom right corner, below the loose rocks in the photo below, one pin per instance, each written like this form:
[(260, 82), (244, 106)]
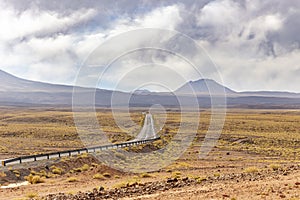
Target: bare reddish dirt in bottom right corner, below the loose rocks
[(280, 187)]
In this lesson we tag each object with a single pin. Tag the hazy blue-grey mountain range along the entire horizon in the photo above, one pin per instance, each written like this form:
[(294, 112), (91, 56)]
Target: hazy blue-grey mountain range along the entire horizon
[(21, 92)]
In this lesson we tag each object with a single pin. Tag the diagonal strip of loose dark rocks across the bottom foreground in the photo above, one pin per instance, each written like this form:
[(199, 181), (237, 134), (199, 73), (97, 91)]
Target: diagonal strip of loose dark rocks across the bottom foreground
[(139, 189)]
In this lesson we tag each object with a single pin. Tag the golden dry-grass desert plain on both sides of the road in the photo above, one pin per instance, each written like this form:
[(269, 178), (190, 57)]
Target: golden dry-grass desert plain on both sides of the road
[(254, 145)]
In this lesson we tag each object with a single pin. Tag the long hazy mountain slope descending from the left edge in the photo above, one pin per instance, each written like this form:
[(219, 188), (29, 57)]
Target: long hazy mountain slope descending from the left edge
[(18, 91)]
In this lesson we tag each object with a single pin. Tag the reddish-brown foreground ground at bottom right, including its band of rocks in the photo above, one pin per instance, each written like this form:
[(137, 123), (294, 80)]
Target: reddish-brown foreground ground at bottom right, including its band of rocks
[(281, 184)]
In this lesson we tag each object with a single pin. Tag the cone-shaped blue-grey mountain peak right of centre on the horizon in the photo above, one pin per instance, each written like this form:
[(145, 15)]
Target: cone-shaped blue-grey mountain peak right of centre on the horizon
[(204, 87)]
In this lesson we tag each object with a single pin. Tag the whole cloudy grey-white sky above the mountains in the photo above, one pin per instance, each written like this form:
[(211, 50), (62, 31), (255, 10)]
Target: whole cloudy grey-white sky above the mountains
[(247, 45)]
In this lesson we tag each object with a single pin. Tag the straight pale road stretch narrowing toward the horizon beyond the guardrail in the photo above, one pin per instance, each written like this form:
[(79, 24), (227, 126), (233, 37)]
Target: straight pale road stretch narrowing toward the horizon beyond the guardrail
[(147, 131)]
